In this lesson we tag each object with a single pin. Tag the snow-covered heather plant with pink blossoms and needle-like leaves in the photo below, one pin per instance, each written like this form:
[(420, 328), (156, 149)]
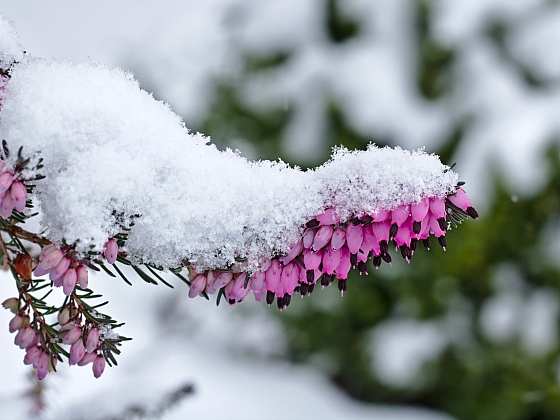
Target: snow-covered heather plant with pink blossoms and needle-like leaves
[(118, 180)]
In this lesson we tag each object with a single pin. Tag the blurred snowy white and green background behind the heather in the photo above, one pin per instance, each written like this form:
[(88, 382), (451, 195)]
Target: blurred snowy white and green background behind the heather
[(471, 333)]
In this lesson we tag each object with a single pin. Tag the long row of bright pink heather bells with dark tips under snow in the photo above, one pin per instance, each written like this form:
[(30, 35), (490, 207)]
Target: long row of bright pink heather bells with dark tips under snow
[(329, 248)]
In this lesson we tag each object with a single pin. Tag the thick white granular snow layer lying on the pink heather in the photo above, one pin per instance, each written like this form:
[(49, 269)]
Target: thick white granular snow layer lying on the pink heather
[(110, 147)]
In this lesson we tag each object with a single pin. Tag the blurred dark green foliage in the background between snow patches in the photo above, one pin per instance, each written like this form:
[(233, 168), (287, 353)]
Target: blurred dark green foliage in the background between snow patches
[(477, 378)]
